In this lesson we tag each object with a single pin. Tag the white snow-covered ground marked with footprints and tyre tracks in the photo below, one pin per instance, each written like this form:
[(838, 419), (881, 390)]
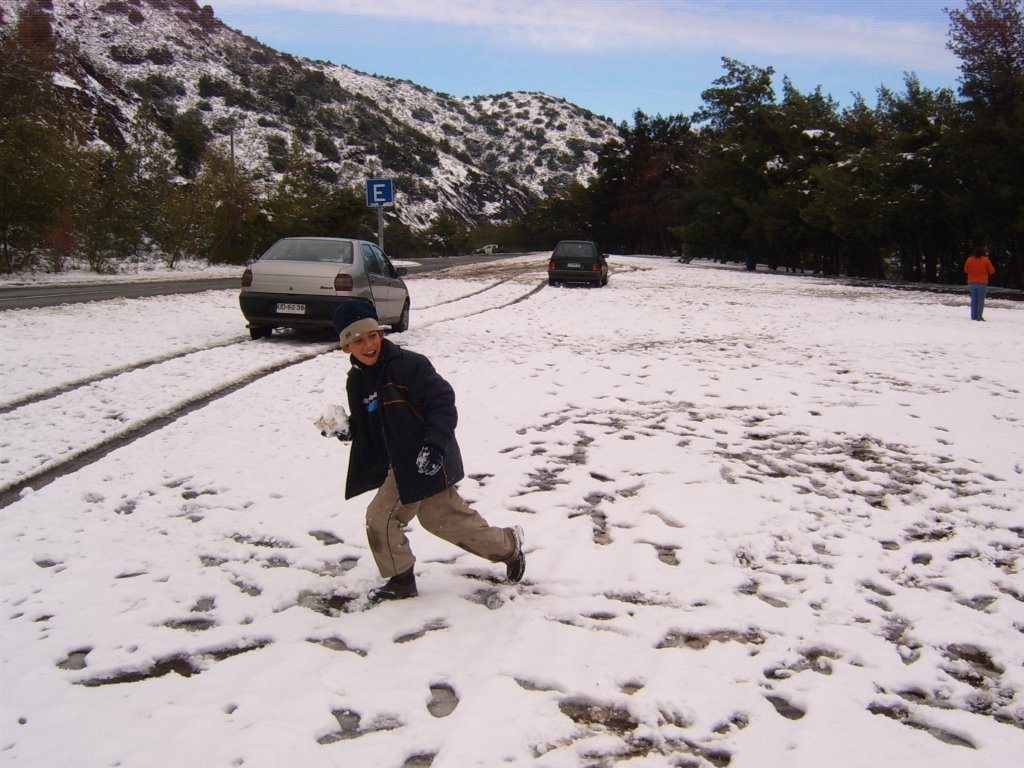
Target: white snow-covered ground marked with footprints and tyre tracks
[(771, 521)]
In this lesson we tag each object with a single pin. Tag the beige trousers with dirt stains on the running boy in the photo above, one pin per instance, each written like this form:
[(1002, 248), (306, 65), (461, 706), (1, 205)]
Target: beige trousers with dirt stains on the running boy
[(446, 516)]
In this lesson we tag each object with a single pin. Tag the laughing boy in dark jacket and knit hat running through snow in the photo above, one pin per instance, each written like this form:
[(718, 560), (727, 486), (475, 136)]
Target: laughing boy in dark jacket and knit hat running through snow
[(402, 426)]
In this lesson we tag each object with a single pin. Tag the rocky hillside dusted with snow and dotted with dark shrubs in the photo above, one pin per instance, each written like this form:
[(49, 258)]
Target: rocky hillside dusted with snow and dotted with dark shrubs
[(480, 158)]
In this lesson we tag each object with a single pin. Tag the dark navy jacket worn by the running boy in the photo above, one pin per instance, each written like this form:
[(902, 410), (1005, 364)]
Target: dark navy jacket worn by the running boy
[(414, 405)]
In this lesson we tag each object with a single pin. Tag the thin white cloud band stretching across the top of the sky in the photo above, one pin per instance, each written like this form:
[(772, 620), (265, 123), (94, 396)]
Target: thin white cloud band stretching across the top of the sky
[(913, 37)]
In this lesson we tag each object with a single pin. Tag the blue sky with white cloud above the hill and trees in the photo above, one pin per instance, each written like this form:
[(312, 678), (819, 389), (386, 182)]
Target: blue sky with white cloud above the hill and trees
[(614, 57)]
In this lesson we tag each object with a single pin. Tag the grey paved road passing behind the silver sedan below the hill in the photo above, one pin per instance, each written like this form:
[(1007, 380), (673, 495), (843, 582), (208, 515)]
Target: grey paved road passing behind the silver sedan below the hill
[(26, 297)]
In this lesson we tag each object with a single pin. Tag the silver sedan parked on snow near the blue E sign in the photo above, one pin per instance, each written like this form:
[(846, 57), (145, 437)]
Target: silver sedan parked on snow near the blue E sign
[(300, 282)]
